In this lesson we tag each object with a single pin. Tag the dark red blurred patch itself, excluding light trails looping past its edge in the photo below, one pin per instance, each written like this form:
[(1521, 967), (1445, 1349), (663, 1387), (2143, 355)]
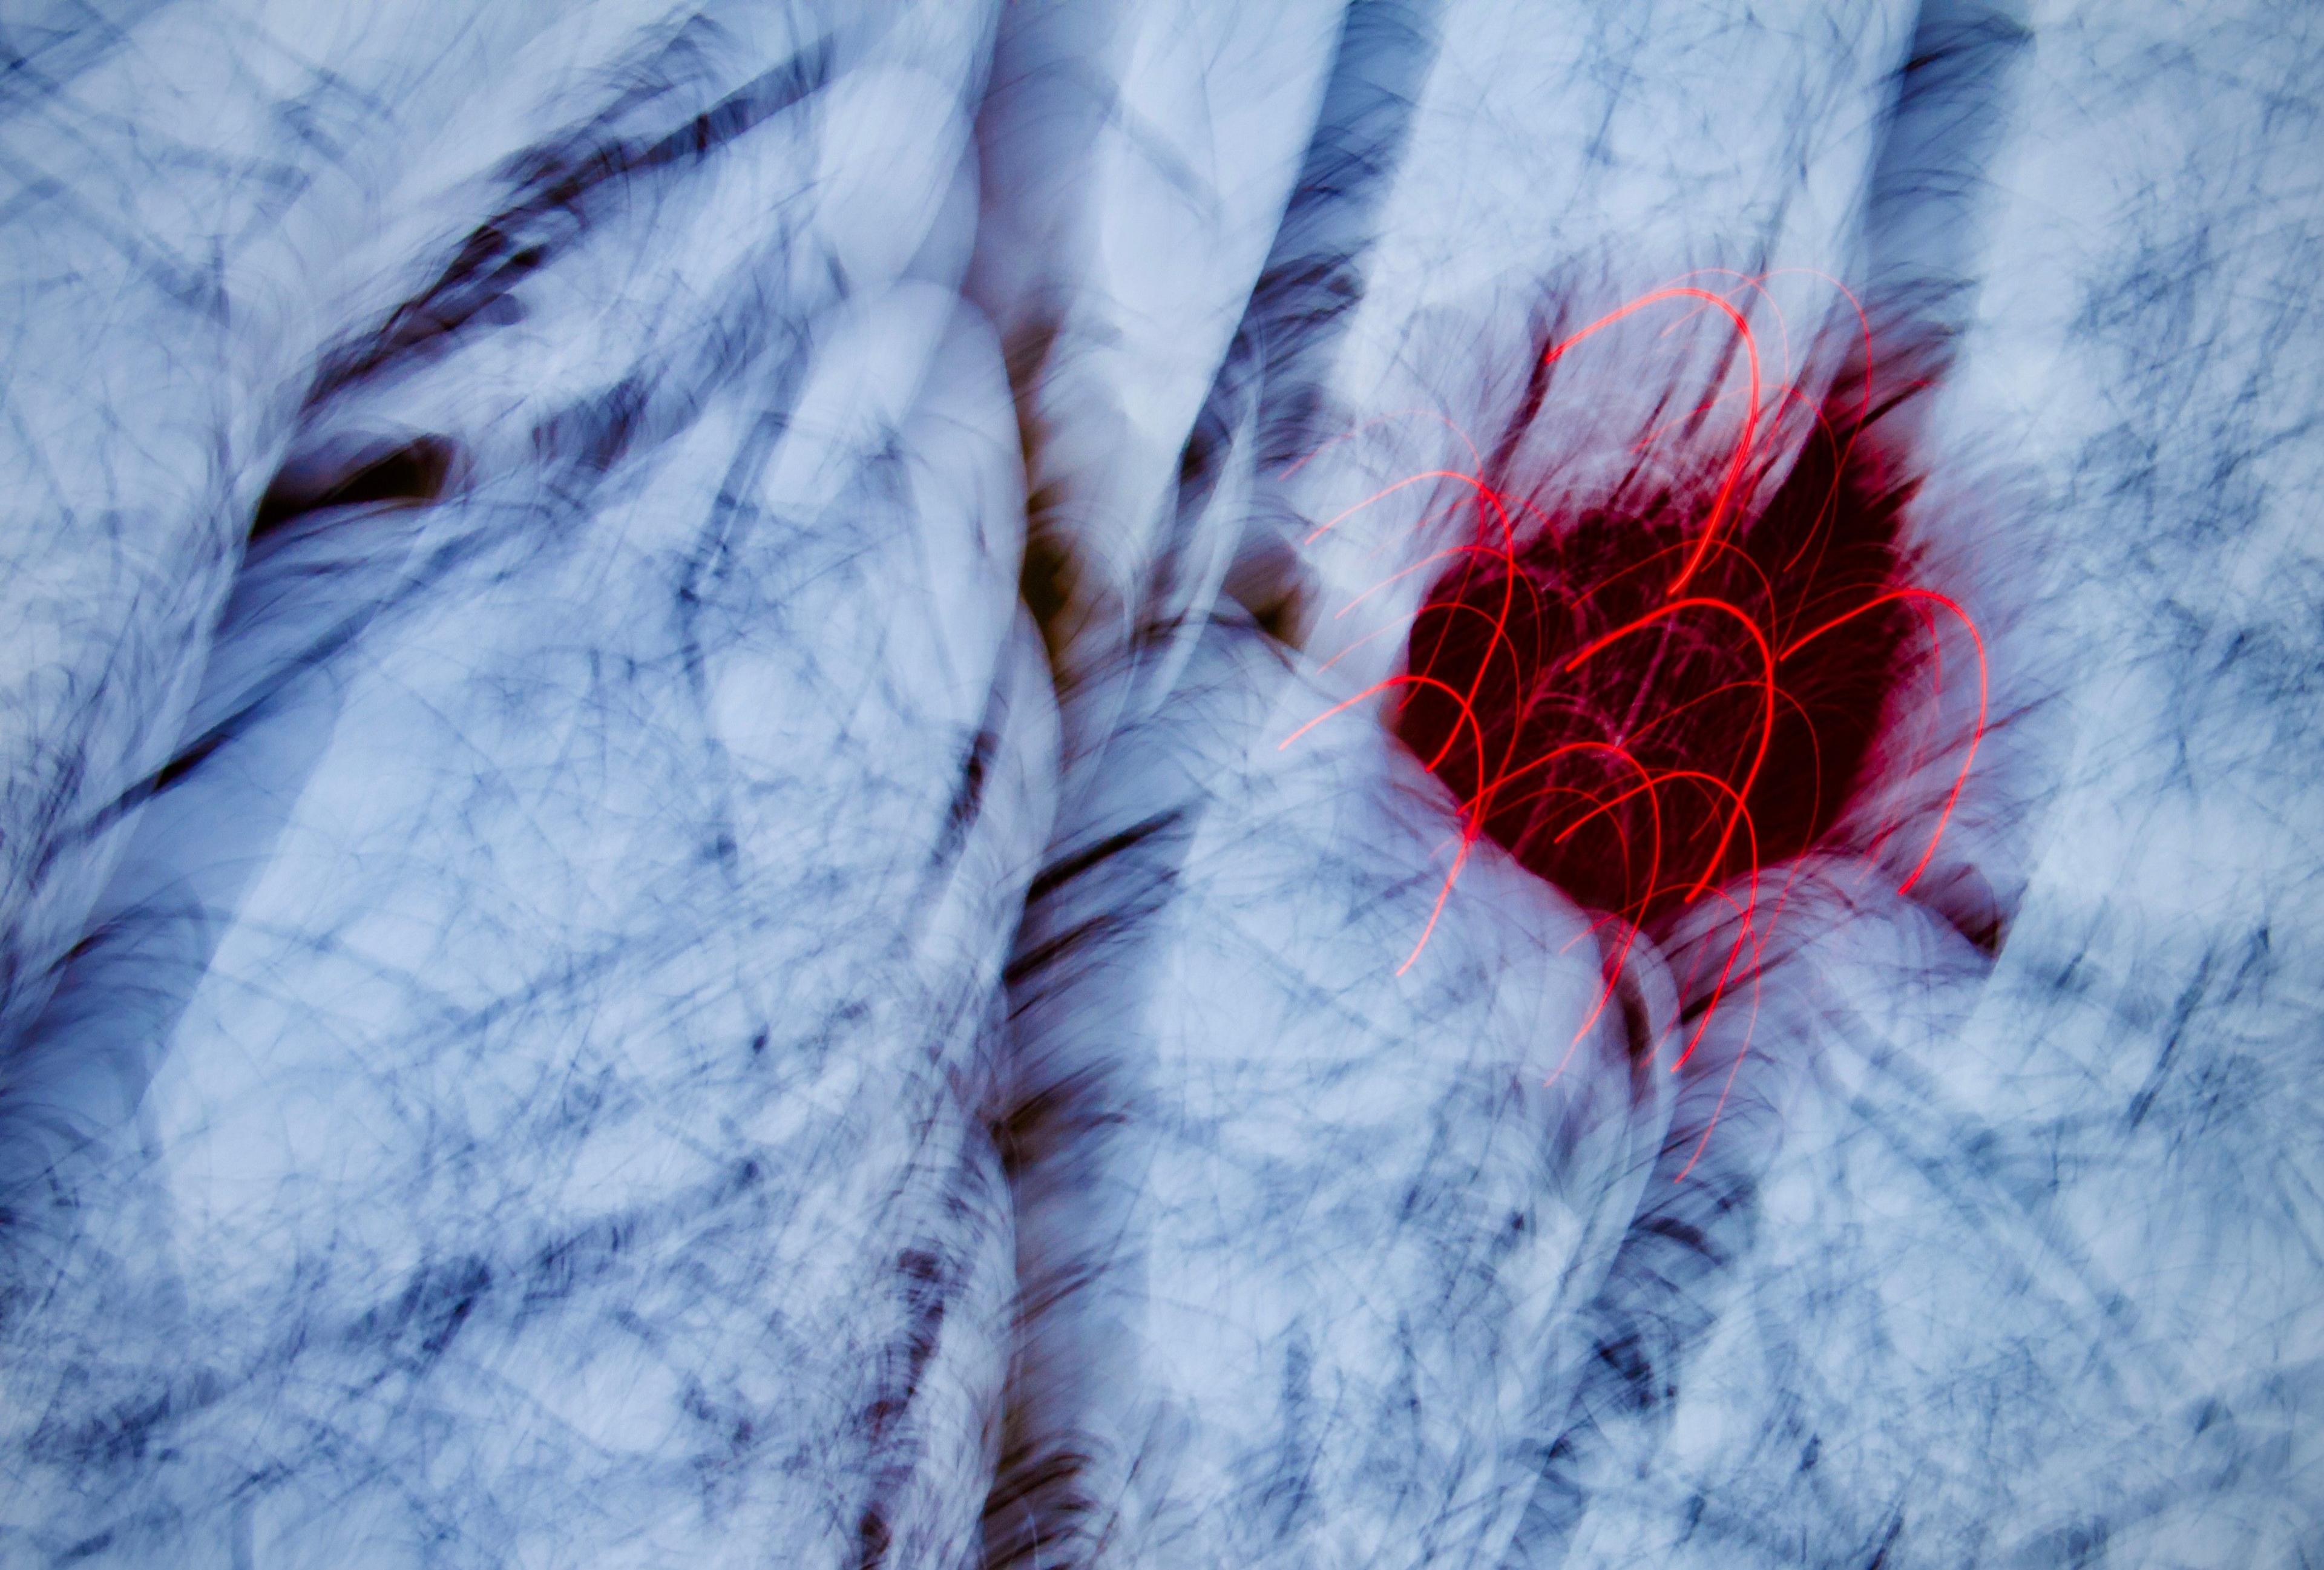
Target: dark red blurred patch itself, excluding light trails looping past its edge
[(1640, 705)]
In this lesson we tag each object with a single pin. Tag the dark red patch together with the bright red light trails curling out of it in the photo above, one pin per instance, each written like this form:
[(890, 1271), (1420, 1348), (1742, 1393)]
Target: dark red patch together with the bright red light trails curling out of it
[(1658, 696)]
